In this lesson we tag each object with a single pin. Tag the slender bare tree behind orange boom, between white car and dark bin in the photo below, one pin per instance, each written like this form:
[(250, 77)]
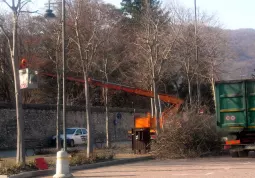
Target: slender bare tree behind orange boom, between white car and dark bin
[(109, 58)]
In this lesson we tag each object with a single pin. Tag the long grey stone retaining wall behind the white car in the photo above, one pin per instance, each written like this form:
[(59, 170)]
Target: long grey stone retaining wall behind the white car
[(40, 122)]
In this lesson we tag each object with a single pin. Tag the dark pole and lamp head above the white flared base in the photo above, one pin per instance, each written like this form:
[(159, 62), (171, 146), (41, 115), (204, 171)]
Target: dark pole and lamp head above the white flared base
[(50, 14)]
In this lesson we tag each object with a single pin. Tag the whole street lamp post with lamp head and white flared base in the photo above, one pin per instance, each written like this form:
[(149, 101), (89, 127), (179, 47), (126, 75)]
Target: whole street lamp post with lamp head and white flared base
[(62, 167)]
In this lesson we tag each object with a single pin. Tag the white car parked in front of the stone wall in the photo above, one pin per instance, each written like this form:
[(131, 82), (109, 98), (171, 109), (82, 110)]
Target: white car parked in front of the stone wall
[(74, 136)]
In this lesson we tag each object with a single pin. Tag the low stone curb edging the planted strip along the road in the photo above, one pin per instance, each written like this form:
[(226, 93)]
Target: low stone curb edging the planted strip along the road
[(76, 168)]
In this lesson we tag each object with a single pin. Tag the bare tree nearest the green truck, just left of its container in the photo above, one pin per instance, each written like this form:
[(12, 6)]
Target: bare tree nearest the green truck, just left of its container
[(213, 51)]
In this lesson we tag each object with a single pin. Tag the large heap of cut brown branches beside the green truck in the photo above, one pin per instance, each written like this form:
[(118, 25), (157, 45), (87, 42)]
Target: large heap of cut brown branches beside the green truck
[(186, 136)]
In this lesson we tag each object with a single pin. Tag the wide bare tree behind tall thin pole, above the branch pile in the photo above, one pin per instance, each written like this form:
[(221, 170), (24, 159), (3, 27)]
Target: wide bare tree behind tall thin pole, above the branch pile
[(200, 45)]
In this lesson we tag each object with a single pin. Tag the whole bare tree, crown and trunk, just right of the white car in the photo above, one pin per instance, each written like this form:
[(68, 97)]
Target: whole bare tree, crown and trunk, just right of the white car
[(87, 16)]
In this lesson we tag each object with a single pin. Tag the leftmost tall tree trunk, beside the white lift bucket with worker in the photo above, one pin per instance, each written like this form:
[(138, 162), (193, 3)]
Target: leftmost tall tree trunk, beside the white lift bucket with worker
[(20, 157)]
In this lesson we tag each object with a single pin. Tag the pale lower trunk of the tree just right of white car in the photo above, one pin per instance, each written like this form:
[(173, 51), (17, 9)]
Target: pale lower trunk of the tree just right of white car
[(88, 117)]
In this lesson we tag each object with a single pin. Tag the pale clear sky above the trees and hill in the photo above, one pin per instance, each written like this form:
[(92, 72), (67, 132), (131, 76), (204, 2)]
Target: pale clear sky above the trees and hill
[(232, 14)]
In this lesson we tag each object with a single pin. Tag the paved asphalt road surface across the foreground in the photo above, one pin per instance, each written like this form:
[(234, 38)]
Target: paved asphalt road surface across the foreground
[(218, 167)]
